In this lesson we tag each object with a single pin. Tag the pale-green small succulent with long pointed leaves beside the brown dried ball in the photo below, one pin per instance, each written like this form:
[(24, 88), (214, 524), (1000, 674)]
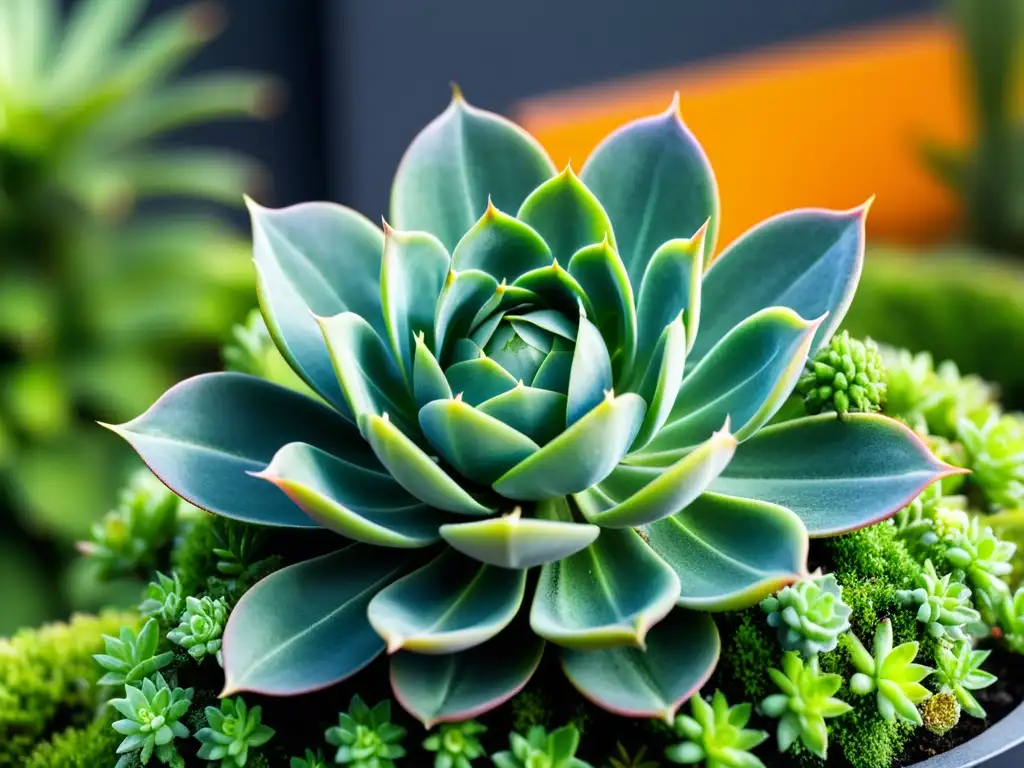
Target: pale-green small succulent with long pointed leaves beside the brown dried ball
[(891, 674)]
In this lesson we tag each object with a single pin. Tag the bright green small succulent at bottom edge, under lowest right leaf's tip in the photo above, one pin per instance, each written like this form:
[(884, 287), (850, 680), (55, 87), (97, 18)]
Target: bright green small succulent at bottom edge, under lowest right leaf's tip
[(717, 735)]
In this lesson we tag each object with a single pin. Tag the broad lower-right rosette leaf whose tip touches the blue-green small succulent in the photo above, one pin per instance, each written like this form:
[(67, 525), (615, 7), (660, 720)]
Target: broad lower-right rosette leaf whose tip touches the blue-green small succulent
[(730, 553)]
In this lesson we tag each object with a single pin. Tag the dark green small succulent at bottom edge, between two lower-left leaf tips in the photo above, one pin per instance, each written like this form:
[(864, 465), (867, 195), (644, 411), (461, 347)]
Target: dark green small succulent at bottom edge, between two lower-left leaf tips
[(366, 738)]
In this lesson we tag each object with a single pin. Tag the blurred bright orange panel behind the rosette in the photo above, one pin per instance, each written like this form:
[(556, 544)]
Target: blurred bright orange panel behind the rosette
[(824, 123)]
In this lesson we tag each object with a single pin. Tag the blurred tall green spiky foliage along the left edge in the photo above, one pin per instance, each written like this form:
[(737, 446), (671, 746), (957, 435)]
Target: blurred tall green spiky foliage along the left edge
[(106, 298)]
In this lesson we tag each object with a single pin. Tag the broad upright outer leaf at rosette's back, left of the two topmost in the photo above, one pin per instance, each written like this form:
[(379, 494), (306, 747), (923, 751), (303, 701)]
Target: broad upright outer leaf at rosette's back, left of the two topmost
[(463, 158)]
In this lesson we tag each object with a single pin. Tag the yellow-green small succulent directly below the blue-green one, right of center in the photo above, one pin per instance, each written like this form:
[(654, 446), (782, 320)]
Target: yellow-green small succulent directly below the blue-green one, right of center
[(807, 700)]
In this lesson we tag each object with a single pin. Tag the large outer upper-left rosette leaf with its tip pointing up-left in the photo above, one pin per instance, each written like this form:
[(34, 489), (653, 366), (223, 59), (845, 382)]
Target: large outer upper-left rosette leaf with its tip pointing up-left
[(316, 260)]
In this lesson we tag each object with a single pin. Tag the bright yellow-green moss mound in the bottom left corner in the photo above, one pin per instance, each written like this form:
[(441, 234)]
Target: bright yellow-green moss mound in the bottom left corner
[(49, 675)]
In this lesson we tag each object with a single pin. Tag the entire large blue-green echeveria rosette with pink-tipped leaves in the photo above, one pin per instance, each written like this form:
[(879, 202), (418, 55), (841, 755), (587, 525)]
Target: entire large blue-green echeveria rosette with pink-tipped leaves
[(529, 369)]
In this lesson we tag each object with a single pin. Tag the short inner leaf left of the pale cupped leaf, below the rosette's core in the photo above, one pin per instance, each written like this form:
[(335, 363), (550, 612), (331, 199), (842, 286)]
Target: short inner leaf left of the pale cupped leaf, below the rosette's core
[(480, 447)]
